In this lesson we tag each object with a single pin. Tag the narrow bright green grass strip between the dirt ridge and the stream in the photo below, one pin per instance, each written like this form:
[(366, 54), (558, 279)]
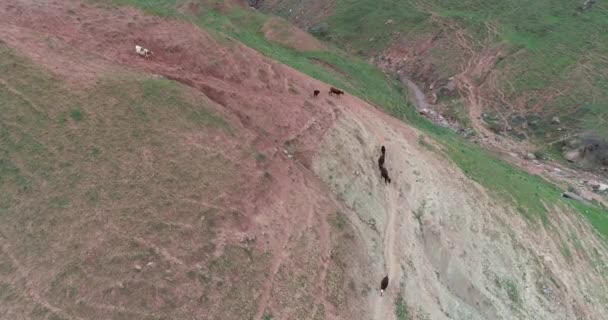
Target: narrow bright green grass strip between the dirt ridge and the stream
[(529, 194)]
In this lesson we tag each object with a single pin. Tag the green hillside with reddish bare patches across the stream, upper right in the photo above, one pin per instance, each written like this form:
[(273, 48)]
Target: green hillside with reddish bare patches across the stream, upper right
[(554, 56)]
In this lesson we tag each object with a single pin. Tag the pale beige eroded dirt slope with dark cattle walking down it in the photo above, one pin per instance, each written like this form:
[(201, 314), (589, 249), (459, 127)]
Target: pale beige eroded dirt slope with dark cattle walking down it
[(451, 250)]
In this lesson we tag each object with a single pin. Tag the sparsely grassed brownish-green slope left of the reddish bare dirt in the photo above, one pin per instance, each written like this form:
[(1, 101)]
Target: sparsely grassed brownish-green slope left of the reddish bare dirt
[(105, 170)]
